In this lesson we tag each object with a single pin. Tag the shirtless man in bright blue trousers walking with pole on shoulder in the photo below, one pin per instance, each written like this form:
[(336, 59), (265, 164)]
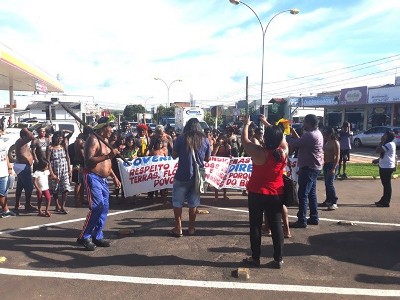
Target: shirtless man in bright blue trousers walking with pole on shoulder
[(98, 168)]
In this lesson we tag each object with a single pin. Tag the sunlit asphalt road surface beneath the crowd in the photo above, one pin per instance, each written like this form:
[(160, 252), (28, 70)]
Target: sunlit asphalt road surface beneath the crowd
[(328, 261)]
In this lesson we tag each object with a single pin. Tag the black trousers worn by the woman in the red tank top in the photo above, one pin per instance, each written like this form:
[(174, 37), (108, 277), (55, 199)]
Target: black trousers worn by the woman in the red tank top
[(272, 205)]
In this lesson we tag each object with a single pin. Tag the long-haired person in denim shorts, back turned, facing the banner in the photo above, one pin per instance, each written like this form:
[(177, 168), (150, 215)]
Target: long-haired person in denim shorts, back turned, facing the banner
[(192, 142)]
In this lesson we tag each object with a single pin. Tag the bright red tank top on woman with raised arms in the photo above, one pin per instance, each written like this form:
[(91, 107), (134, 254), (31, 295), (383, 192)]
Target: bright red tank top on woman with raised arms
[(267, 179)]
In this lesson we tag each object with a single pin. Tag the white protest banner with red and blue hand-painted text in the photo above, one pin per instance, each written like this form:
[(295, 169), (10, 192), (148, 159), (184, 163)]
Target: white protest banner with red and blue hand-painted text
[(152, 173)]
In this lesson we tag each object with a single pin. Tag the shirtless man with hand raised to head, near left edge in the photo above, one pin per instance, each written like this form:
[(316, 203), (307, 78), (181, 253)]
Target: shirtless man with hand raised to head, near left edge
[(22, 167)]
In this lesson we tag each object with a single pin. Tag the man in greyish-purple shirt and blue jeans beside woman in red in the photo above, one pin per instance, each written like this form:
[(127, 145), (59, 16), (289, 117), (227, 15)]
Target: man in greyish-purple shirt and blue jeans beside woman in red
[(310, 160)]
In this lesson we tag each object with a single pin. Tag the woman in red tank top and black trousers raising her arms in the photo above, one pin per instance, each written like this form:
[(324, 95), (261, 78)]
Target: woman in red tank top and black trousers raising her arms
[(265, 190)]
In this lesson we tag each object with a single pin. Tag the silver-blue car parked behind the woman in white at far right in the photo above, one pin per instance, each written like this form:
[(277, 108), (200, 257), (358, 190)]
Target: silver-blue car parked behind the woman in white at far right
[(372, 136)]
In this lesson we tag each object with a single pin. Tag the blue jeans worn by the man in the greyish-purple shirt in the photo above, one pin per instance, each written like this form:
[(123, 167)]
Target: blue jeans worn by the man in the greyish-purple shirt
[(307, 194)]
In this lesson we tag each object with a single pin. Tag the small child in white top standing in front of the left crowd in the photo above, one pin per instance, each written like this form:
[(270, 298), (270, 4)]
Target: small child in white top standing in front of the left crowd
[(41, 183)]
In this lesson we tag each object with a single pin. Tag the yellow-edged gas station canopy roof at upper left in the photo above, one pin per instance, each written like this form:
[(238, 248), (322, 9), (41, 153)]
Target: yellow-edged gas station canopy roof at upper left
[(16, 74)]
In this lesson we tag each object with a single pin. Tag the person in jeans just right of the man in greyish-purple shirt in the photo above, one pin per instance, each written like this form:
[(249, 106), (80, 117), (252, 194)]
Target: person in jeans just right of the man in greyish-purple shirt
[(331, 161)]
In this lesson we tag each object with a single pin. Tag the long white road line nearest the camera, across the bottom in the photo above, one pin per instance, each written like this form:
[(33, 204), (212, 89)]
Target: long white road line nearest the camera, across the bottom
[(205, 284)]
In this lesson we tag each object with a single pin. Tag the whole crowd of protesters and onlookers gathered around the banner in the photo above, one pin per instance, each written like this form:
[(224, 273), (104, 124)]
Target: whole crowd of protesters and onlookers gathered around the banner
[(51, 164)]
